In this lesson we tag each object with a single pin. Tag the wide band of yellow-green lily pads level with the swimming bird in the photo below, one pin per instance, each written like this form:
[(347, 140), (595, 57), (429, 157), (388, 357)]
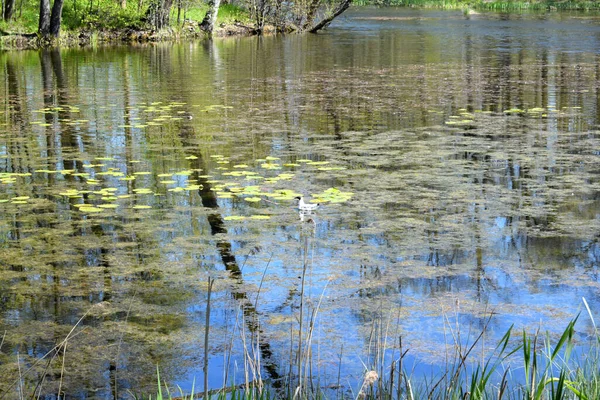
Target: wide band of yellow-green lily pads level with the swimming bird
[(235, 181)]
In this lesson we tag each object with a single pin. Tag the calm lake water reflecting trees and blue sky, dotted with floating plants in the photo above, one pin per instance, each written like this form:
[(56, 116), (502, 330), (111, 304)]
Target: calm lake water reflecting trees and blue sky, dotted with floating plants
[(456, 159)]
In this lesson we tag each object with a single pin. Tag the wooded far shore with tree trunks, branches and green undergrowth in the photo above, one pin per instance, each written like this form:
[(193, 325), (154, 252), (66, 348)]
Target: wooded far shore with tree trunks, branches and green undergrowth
[(29, 23)]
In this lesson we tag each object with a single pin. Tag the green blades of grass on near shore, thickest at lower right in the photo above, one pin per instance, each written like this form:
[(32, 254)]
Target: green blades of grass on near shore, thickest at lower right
[(522, 366)]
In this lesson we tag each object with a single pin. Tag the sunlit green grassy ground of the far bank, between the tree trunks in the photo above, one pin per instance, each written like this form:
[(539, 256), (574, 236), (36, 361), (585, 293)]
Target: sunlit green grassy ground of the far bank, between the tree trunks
[(107, 23)]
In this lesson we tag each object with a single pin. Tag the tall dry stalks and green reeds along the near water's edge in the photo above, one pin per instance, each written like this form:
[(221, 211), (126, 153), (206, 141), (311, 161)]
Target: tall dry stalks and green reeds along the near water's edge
[(532, 366)]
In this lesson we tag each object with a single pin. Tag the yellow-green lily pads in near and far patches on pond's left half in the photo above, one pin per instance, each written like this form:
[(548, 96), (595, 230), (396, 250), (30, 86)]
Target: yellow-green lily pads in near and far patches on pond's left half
[(99, 186)]
